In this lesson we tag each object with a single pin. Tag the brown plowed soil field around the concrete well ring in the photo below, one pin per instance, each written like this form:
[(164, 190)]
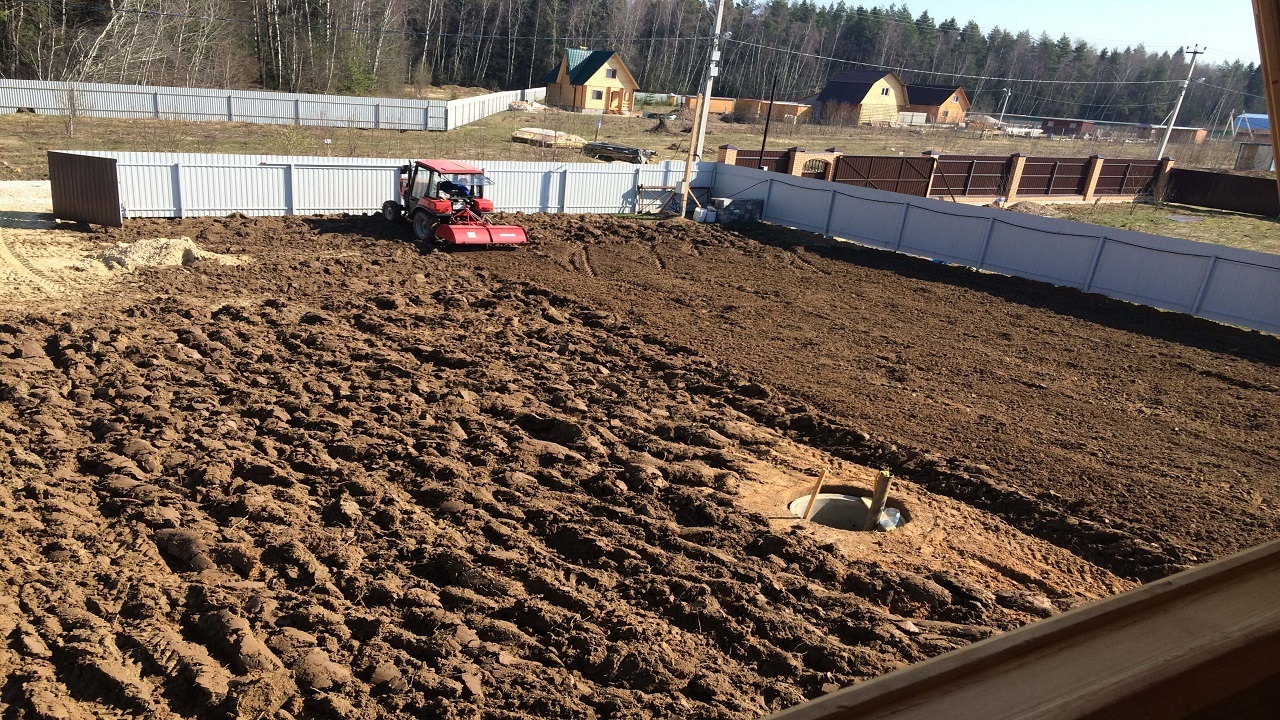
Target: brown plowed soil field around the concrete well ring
[(348, 479)]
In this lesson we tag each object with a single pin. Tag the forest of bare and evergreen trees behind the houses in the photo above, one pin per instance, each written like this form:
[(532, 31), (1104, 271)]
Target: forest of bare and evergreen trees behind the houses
[(387, 47)]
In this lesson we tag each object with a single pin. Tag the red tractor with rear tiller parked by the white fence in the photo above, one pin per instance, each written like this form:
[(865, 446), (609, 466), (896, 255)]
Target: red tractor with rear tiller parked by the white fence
[(446, 203)]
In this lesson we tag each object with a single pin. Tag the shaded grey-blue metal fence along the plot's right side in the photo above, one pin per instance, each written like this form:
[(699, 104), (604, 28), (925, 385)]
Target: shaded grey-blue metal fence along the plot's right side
[(1217, 282)]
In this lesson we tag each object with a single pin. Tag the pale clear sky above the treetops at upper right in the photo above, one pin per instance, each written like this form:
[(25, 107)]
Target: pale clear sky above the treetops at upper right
[(1223, 26)]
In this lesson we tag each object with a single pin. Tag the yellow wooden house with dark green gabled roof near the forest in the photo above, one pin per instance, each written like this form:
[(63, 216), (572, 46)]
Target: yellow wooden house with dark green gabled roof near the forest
[(592, 81)]
